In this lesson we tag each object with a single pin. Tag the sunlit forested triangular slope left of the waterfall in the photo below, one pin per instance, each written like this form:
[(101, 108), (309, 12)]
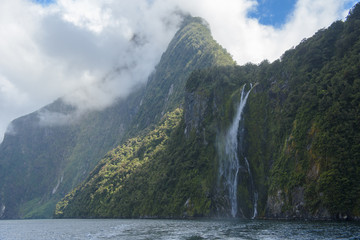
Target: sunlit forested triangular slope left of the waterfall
[(146, 176)]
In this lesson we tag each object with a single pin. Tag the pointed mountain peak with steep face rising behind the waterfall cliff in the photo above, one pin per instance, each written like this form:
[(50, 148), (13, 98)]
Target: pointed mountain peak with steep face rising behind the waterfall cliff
[(192, 48)]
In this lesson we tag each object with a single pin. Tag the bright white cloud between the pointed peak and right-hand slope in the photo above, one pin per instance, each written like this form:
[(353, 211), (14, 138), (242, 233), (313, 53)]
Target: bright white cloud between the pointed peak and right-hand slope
[(249, 41)]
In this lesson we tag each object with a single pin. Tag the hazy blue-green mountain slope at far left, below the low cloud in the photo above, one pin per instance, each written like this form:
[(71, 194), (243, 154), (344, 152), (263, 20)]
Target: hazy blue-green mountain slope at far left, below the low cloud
[(39, 163)]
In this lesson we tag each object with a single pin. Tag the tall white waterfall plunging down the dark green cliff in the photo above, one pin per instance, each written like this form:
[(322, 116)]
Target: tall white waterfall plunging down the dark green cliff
[(230, 164)]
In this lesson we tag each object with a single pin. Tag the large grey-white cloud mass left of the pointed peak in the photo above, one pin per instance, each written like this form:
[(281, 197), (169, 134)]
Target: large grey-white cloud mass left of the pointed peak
[(78, 49)]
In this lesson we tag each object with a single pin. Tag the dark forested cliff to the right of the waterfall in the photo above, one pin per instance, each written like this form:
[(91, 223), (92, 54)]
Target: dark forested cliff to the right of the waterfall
[(309, 126)]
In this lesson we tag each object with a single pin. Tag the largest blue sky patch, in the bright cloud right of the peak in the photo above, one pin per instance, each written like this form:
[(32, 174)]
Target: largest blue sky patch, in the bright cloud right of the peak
[(273, 12)]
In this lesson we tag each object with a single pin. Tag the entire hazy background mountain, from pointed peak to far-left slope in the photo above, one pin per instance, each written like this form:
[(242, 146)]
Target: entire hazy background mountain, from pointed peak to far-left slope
[(42, 158)]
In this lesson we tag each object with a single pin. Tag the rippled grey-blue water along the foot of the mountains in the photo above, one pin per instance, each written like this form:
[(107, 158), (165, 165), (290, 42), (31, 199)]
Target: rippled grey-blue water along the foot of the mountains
[(175, 229)]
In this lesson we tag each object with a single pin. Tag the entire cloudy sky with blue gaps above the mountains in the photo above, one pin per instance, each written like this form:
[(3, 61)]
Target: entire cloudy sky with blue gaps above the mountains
[(91, 52)]
